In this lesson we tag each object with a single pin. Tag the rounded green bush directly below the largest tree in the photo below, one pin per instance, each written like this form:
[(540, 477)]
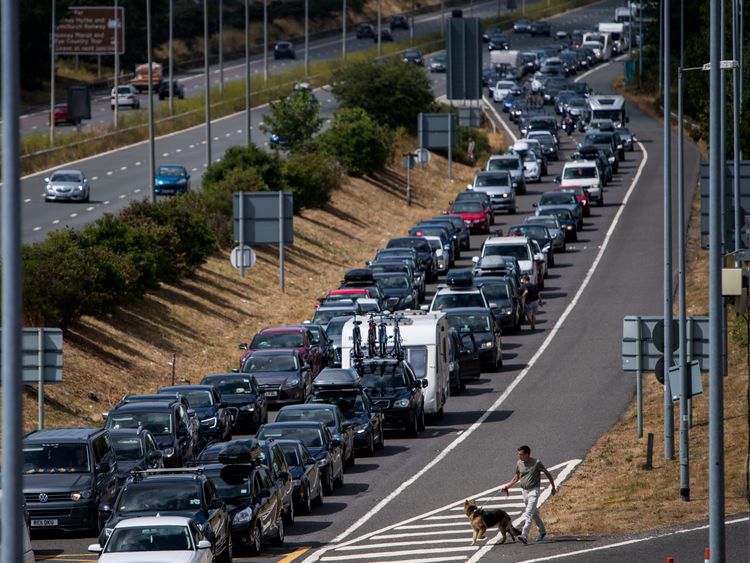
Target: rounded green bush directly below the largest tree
[(359, 143)]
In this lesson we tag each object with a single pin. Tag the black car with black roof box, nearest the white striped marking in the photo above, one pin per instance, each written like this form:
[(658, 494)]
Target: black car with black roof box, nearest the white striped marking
[(252, 500)]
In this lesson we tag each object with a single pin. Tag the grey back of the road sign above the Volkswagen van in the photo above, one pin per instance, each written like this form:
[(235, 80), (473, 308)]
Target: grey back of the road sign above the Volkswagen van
[(41, 346)]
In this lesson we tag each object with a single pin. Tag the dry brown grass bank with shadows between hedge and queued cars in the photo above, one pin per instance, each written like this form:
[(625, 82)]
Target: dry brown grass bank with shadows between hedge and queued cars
[(203, 319)]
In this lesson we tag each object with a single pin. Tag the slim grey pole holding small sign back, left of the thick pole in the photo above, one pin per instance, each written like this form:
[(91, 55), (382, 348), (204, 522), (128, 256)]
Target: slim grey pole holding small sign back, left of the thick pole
[(685, 386)]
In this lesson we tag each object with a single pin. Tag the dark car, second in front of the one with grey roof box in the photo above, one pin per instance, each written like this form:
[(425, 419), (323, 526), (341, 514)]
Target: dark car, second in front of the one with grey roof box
[(327, 451)]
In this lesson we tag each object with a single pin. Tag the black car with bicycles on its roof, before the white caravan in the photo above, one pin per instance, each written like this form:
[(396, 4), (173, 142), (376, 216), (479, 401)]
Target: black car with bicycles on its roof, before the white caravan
[(391, 385)]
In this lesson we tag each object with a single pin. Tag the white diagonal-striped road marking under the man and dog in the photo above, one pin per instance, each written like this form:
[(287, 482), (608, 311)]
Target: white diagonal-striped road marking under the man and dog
[(419, 536)]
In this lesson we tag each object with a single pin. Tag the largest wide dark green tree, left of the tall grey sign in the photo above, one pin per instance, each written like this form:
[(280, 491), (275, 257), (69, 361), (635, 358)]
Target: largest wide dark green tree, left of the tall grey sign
[(393, 93)]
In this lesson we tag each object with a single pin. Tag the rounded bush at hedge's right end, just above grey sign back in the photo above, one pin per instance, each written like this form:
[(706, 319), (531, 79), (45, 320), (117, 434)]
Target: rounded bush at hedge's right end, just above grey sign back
[(311, 177)]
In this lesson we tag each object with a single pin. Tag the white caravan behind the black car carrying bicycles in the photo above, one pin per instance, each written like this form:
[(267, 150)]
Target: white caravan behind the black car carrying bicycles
[(424, 338)]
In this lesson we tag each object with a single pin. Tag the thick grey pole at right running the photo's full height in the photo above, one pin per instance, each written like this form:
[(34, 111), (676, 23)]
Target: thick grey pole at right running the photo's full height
[(716, 383)]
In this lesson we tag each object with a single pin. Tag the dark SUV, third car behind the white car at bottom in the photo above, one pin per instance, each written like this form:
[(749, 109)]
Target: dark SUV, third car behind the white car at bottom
[(169, 422)]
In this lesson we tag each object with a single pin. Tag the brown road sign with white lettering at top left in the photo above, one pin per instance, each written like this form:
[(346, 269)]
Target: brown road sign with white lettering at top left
[(90, 30)]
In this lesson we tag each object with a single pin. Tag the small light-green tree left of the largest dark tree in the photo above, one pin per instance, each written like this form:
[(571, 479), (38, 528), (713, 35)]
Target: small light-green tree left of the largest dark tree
[(294, 120)]
